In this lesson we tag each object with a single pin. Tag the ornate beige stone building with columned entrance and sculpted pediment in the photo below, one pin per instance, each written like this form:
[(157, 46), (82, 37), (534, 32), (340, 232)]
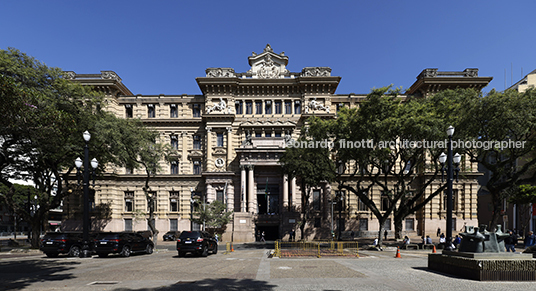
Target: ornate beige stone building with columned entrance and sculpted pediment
[(228, 142)]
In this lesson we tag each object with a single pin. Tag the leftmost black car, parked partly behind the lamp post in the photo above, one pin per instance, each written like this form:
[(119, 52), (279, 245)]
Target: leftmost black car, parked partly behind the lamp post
[(70, 243)]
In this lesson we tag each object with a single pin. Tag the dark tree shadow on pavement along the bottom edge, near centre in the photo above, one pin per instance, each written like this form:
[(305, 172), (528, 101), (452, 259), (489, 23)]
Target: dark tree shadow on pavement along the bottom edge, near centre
[(214, 285)]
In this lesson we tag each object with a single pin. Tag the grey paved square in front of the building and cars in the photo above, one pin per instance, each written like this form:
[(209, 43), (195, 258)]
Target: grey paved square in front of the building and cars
[(247, 268)]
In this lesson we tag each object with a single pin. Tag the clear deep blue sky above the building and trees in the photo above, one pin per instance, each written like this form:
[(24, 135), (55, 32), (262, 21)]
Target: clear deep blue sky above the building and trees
[(160, 47)]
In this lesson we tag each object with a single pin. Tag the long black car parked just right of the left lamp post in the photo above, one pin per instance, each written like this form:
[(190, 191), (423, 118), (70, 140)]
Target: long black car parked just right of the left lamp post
[(123, 243)]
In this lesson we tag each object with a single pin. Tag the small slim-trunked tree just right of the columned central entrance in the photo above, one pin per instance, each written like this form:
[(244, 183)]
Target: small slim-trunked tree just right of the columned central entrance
[(313, 166)]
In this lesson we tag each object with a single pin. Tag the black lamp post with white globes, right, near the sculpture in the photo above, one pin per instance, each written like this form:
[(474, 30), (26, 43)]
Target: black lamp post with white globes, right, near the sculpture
[(451, 162)]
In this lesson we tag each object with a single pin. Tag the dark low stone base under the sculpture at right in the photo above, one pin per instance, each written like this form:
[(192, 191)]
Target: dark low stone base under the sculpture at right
[(485, 266)]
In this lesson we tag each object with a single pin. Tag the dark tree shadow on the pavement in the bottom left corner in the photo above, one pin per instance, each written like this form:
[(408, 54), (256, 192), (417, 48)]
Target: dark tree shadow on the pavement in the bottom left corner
[(16, 275)]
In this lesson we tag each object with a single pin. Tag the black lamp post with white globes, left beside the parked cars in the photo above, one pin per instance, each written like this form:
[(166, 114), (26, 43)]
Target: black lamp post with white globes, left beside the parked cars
[(85, 253)]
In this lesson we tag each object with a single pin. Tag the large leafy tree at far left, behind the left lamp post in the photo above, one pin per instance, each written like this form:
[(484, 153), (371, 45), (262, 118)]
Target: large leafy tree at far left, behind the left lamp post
[(43, 134)]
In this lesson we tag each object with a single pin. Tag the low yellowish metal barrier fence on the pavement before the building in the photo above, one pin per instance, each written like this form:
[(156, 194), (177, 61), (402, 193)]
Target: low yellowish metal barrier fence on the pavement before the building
[(316, 249)]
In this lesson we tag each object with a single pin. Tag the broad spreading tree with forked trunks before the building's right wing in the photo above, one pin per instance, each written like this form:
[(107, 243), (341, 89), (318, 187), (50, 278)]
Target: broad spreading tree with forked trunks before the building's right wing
[(372, 151)]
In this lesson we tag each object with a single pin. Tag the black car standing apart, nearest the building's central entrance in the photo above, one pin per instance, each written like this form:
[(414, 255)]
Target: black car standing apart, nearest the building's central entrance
[(196, 242)]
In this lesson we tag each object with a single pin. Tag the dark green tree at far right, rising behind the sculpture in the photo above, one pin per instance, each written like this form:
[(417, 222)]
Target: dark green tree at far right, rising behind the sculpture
[(504, 124)]
